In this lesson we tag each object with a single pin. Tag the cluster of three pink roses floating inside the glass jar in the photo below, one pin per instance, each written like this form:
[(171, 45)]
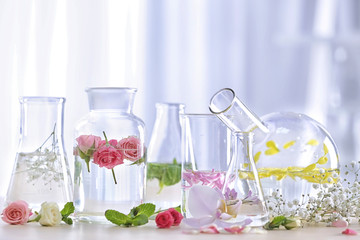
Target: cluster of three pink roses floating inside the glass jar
[(108, 153)]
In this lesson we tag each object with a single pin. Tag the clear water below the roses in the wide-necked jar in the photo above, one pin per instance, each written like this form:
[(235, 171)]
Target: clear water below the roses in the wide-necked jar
[(96, 192)]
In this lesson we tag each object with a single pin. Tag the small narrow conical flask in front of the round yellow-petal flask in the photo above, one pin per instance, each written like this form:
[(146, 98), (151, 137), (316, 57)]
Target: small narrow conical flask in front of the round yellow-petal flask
[(242, 191)]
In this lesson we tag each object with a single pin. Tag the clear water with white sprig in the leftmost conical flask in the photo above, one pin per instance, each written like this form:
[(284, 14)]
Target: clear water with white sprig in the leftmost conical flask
[(39, 177)]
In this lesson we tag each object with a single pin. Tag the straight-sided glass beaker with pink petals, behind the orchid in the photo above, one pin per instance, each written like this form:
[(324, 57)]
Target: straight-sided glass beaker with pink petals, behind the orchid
[(206, 154)]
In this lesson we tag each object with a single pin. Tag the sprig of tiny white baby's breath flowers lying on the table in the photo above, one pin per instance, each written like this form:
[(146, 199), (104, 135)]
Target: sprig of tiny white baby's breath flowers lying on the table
[(336, 199)]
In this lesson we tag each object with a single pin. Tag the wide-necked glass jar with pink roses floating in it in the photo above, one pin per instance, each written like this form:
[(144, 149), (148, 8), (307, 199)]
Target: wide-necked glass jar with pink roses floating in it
[(110, 155)]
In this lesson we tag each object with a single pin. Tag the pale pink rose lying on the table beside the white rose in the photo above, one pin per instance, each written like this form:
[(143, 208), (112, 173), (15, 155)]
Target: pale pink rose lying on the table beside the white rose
[(17, 212)]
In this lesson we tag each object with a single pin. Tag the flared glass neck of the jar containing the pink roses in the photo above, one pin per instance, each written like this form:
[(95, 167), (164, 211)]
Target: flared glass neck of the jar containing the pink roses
[(116, 99)]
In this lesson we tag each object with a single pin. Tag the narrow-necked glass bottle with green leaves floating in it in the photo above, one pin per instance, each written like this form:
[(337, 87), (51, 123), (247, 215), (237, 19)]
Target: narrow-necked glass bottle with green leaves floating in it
[(164, 164)]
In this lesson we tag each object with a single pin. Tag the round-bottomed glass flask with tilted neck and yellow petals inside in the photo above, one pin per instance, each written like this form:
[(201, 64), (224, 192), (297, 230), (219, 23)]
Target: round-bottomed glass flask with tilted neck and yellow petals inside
[(291, 151)]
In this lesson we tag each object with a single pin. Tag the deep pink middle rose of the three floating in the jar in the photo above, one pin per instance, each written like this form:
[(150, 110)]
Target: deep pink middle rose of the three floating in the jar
[(108, 156)]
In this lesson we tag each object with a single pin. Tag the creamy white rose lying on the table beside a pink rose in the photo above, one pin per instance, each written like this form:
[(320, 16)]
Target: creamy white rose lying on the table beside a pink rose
[(50, 214)]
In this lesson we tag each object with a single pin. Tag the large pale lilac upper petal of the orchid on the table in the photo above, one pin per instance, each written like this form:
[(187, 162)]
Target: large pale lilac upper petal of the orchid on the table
[(203, 201)]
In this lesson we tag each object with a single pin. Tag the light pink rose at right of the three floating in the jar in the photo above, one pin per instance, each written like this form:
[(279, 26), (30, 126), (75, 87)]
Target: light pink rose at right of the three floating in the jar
[(131, 148)]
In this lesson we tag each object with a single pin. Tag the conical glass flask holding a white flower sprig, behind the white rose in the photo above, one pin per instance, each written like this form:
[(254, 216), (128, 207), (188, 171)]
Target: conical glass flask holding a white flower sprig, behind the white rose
[(41, 172)]
